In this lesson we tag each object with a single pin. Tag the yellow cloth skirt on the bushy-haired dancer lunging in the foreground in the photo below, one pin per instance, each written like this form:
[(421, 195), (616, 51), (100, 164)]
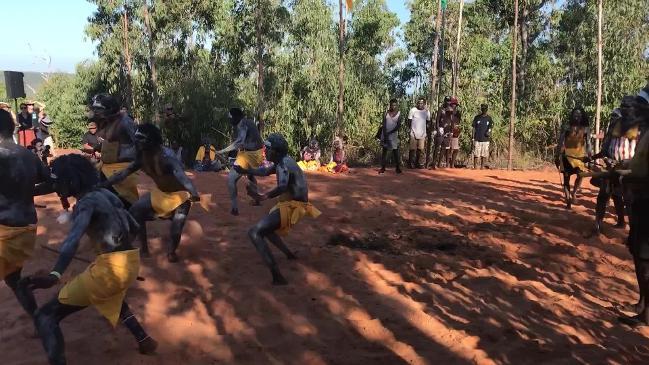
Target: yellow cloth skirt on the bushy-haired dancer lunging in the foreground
[(104, 283)]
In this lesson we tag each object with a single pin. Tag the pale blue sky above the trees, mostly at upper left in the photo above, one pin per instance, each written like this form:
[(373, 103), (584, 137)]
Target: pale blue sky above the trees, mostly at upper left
[(57, 42)]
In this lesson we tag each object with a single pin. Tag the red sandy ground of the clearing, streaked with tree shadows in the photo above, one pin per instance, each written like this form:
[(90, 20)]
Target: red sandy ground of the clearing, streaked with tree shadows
[(474, 267)]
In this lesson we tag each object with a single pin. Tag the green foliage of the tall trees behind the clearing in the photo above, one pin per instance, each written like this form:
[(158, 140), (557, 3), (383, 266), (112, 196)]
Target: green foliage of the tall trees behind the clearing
[(206, 54)]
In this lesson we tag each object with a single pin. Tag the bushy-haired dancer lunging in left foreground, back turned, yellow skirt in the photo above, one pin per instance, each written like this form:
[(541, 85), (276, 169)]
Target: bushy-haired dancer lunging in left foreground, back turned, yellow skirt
[(102, 216)]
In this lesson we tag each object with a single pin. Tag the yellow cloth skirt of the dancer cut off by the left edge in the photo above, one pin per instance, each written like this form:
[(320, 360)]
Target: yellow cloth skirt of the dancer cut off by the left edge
[(16, 246)]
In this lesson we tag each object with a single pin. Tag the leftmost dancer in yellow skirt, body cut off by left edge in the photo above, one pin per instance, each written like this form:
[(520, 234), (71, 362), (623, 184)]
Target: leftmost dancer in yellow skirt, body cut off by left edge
[(21, 171)]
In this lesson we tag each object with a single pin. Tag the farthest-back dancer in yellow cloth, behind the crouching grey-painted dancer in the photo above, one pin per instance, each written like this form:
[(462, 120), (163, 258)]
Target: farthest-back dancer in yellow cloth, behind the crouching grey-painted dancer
[(249, 145)]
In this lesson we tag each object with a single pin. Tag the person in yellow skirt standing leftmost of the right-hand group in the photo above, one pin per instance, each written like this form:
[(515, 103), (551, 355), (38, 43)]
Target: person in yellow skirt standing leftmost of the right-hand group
[(573, 150)]
